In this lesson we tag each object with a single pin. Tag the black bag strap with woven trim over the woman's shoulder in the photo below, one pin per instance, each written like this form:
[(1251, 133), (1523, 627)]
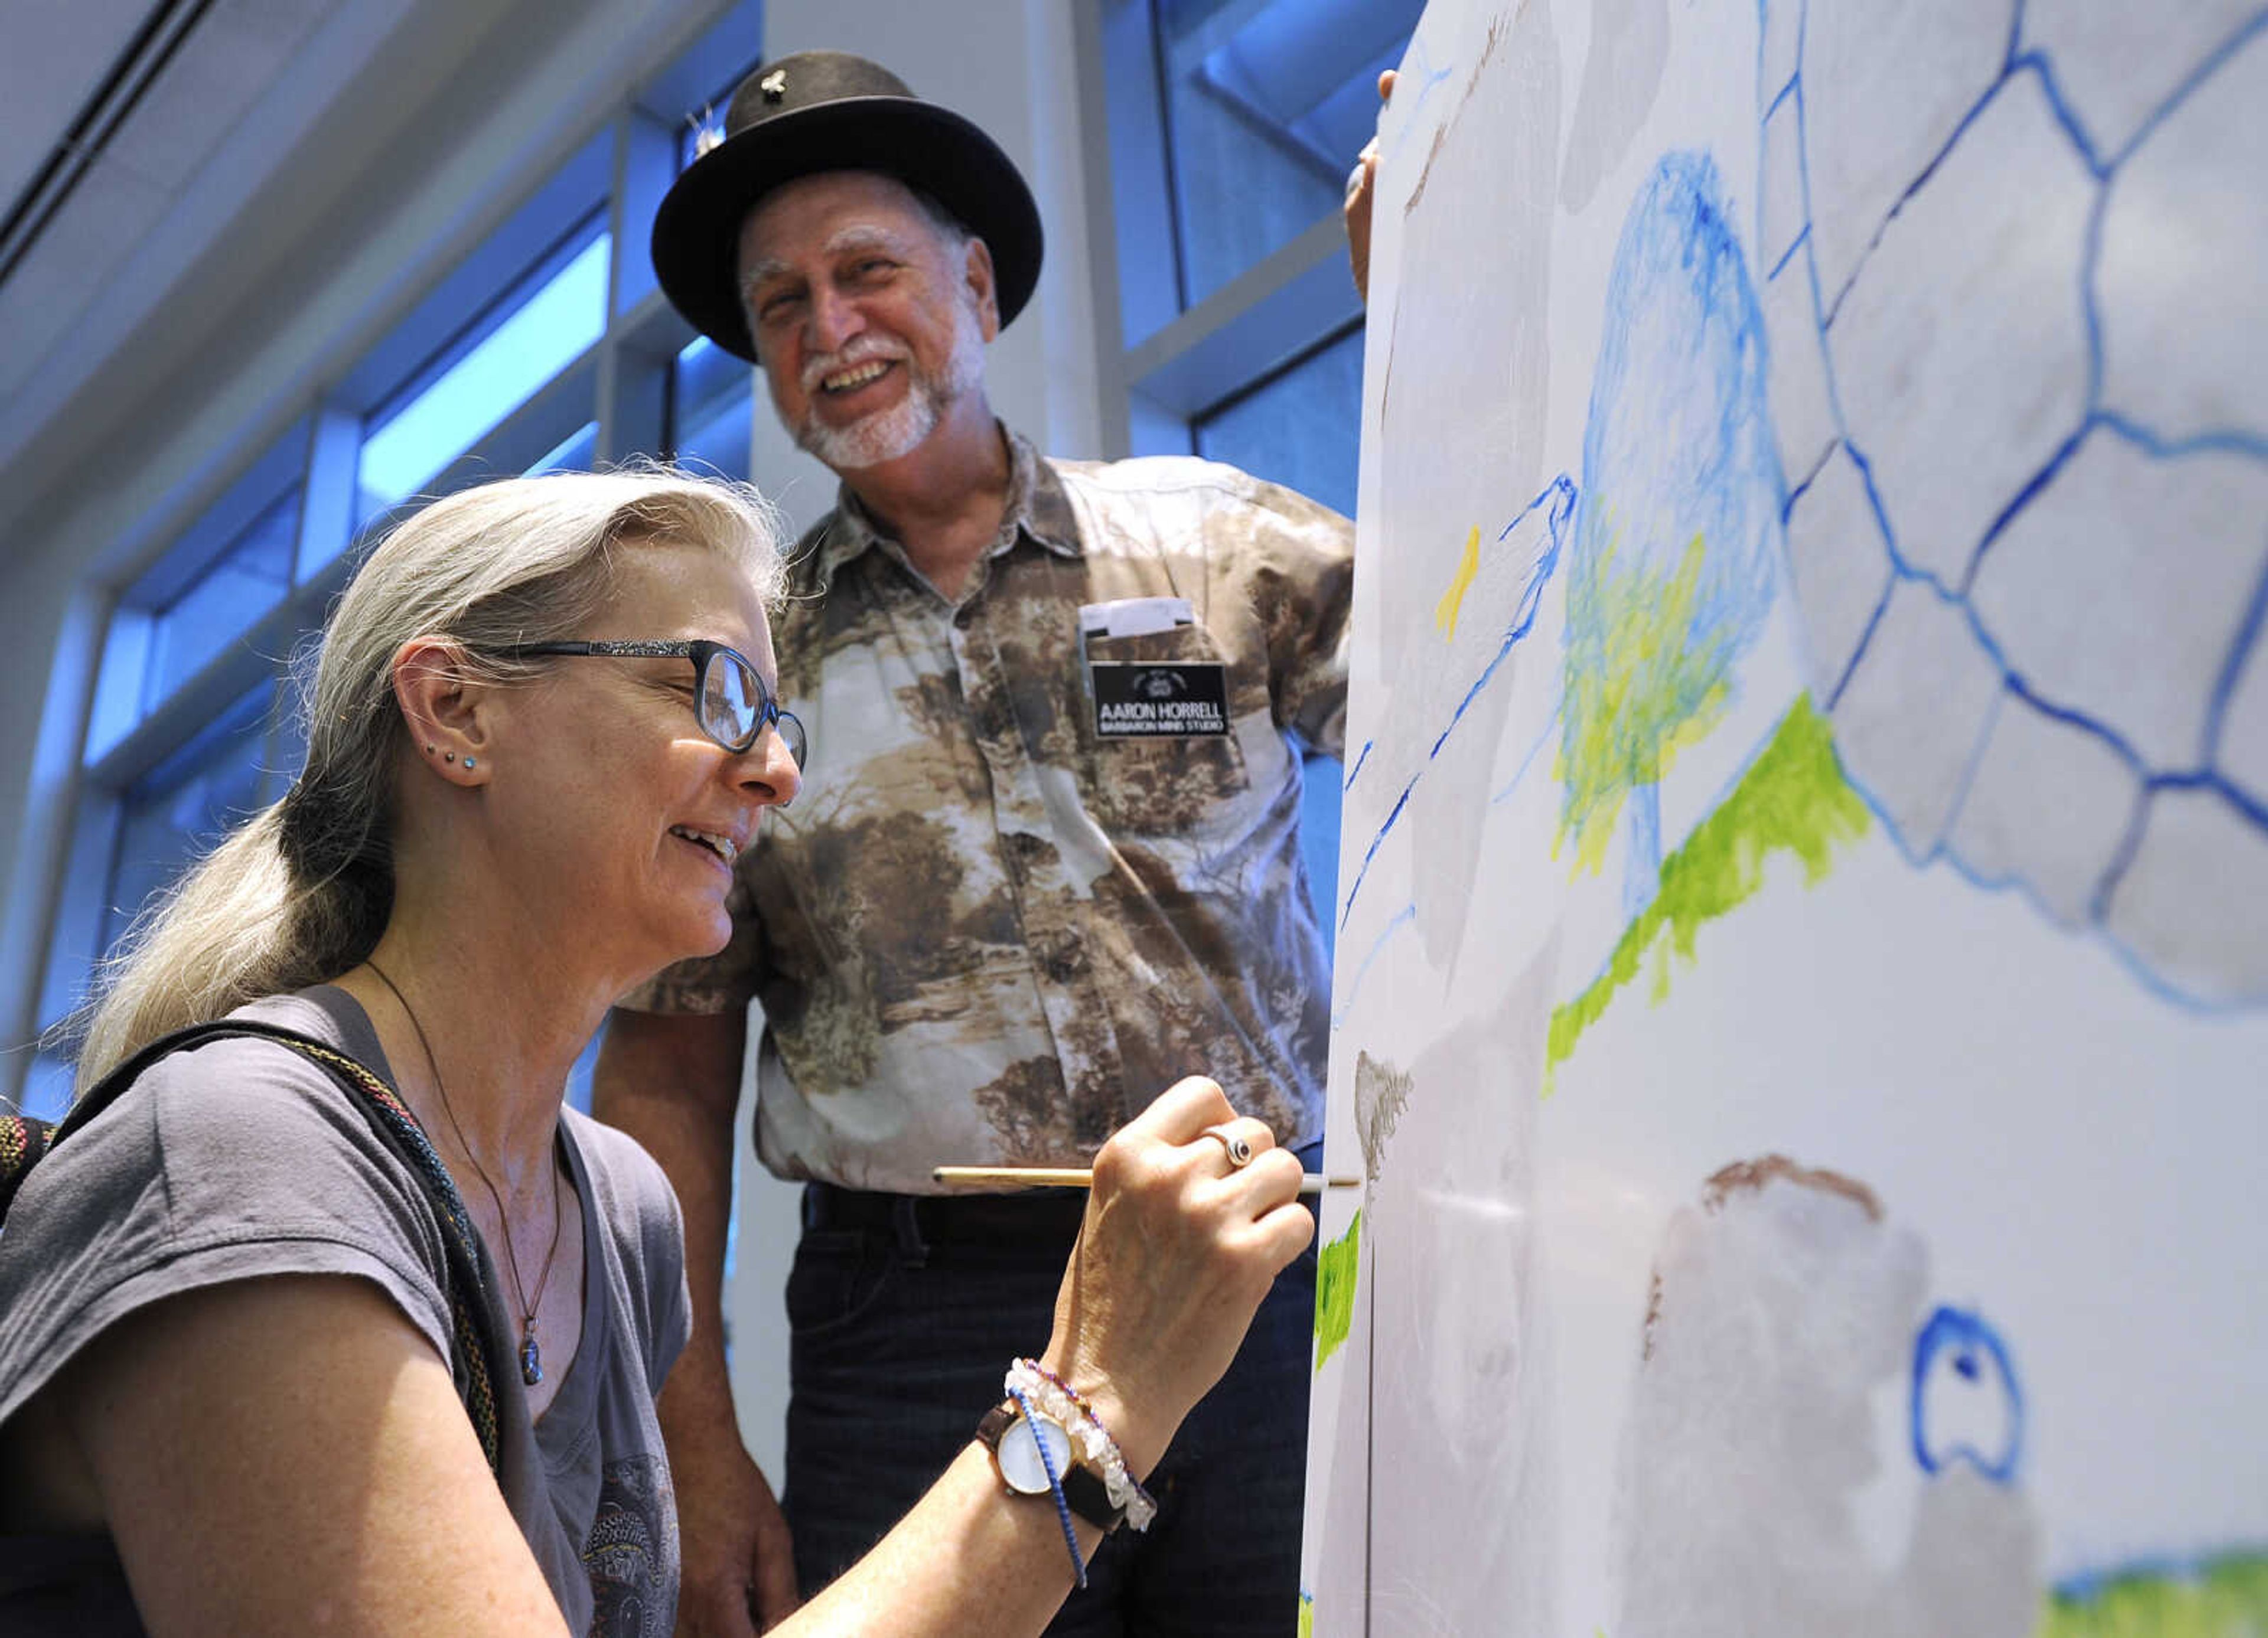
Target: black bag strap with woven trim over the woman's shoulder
[(473, 1362)]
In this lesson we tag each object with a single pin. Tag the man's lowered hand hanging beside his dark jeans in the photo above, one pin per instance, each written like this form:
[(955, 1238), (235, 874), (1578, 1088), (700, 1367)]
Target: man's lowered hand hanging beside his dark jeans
[(738, 1573)]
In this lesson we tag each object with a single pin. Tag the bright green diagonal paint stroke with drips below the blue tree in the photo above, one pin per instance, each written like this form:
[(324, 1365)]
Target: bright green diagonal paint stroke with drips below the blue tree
[(1793, 800)]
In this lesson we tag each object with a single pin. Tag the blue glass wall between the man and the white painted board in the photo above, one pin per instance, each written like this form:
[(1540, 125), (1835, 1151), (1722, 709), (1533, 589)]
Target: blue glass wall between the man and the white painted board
[(1233, 128)]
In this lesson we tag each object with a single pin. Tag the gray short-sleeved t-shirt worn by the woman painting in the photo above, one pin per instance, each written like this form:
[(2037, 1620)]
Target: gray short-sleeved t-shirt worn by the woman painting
[(239, 1160)]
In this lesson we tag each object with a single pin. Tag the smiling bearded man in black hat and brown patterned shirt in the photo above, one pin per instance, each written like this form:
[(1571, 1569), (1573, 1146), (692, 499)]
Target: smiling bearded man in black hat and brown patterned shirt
[(1044, 866)]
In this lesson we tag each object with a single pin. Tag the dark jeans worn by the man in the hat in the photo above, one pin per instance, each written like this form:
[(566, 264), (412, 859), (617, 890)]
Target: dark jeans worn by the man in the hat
[(904, 1319)]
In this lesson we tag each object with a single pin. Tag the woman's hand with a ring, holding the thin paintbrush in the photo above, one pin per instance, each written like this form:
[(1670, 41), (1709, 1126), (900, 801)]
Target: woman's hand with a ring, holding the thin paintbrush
[(1176, 1256)]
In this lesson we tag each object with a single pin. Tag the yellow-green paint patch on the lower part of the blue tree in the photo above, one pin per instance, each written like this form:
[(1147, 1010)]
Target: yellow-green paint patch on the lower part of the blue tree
[(1639, 693)]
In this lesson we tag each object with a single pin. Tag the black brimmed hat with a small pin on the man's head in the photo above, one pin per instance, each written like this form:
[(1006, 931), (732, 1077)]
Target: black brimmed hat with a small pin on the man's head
[(833, 112)]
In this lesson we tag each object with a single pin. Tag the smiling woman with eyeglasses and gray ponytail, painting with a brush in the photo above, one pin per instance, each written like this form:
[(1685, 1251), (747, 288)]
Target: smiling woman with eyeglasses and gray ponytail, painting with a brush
[(362, 1331)]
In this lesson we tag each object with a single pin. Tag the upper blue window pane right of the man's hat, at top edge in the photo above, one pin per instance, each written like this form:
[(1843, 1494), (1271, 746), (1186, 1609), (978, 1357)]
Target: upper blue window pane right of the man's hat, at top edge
[(1269, 103)]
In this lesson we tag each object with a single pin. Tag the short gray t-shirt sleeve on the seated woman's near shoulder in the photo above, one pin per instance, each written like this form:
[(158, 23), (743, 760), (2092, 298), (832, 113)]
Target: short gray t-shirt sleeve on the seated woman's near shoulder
[(235, 1160)]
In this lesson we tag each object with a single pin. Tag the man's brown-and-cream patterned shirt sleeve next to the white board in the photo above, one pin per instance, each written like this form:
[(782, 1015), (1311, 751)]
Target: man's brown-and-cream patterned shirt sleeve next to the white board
[(1296, 564)]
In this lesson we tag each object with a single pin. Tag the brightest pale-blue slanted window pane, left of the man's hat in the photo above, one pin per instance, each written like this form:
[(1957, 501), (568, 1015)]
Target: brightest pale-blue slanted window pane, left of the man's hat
[(527, 348)]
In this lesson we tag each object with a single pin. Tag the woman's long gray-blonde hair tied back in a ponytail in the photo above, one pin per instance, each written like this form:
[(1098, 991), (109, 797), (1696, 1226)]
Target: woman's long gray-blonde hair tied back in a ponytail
[(305, 888)]
